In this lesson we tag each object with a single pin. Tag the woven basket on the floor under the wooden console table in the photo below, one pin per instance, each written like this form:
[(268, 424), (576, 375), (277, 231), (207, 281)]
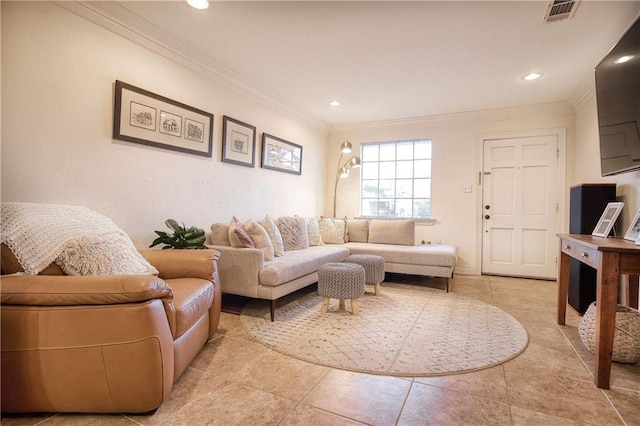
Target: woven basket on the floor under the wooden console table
[(626, 339)]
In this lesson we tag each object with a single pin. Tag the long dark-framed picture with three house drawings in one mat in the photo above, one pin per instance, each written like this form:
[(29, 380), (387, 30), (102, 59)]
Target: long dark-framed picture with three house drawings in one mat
[(150, 119)]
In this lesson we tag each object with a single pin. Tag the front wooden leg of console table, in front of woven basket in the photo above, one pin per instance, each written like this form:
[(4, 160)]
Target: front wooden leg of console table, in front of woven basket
[(607, 299)]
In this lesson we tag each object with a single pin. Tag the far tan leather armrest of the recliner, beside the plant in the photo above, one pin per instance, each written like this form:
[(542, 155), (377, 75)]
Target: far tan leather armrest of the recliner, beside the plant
[(183, 263)]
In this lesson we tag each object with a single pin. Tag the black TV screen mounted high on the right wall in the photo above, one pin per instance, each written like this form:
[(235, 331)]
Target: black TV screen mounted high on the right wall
[(618, 103)]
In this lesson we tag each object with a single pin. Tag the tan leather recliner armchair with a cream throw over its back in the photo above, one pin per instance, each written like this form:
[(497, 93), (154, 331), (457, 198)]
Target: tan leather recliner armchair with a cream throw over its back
[(104, 344)]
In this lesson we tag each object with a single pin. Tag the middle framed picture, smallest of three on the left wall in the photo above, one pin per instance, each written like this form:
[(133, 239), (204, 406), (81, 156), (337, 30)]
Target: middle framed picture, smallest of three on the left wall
[(238, 142)]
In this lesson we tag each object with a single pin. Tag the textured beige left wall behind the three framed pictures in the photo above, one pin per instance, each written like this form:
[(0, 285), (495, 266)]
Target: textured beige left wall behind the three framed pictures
[(58, 74)]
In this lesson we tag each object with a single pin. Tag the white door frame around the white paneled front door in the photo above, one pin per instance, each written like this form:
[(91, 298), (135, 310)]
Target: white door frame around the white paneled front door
[(561, 218)]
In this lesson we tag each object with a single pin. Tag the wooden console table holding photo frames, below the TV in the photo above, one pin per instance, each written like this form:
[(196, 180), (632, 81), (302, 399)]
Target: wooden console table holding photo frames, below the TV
[(611, 257)]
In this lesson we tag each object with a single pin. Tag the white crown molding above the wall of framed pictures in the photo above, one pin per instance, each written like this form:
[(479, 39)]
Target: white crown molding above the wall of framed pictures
[(119, 20)]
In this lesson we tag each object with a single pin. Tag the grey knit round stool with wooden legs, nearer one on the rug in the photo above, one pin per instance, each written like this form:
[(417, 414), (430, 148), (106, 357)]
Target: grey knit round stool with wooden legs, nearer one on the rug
[(341, 281)]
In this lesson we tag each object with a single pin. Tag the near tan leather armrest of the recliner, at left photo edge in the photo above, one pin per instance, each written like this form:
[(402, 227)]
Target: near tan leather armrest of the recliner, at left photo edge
[(53, 290)]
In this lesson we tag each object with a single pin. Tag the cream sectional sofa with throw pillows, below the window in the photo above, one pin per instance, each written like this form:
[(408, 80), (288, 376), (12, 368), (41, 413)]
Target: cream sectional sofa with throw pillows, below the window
[(266, 271)]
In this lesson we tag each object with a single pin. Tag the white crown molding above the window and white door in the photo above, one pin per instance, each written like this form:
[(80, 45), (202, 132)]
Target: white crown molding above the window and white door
[(499, 114)]
